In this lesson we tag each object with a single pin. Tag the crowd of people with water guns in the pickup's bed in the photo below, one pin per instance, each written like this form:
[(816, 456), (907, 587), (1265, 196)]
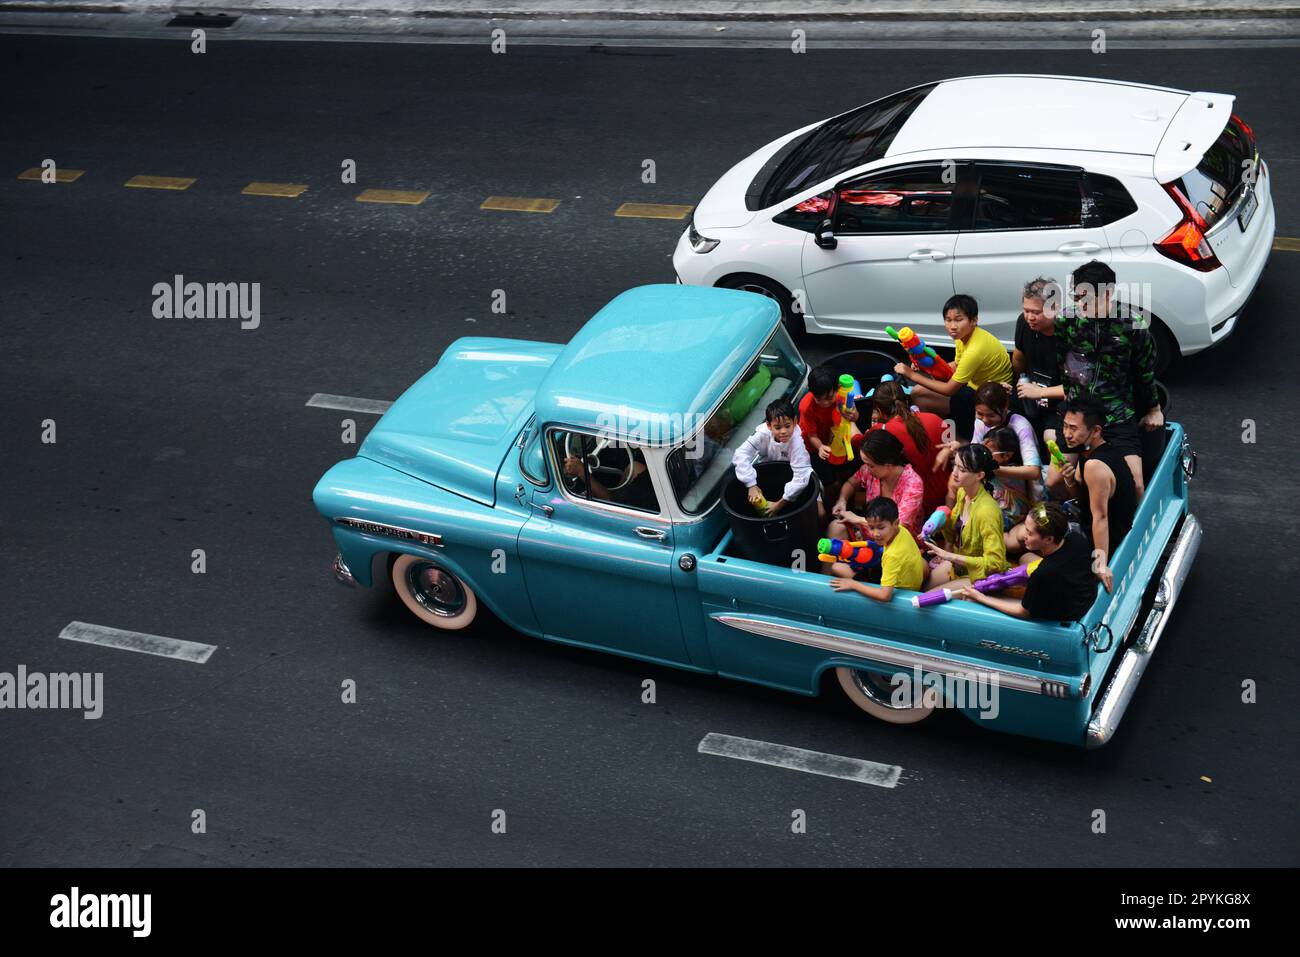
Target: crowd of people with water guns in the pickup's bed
[(1024, 486)]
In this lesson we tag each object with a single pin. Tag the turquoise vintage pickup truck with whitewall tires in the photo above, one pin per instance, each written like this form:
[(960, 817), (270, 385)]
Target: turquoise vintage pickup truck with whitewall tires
[(575, 492)]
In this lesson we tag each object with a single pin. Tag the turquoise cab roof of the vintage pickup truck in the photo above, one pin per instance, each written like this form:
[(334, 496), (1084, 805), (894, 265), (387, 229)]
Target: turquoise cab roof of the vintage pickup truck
[(655, 361)]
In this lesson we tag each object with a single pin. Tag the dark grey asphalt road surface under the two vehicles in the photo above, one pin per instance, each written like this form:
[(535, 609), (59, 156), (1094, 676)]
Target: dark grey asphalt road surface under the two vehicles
[(181, 435)]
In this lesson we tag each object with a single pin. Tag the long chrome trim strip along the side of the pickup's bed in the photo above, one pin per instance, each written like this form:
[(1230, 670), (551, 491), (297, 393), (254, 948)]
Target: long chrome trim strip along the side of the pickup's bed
[(887, 655)]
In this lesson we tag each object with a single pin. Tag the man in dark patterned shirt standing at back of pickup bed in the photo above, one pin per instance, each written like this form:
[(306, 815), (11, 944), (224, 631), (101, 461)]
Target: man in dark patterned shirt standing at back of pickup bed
[(1106, 349)]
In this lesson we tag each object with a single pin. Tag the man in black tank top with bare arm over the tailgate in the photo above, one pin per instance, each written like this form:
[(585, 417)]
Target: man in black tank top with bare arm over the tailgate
[(1103, 484)]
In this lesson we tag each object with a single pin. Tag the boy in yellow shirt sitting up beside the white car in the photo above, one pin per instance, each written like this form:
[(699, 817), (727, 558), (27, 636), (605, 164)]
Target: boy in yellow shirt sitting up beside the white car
[(981, 358)]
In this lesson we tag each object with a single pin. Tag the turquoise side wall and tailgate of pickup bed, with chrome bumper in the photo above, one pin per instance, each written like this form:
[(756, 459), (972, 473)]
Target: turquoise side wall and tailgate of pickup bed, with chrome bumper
[(1060, 681)]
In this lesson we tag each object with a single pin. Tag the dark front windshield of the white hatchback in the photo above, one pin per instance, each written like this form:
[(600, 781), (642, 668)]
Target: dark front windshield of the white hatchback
[(843, 144)]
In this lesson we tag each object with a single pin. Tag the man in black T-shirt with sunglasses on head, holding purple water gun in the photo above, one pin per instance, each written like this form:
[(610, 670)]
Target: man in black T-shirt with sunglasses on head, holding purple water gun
[(1063, 587)]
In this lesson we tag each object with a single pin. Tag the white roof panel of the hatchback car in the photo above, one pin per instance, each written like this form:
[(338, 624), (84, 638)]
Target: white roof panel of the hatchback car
[(1030, 111)]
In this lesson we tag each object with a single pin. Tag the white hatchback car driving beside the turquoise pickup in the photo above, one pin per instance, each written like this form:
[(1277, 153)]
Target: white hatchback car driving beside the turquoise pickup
[(981, 184)]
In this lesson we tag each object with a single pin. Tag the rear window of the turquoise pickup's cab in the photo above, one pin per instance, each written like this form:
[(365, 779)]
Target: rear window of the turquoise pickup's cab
[(700, 467)]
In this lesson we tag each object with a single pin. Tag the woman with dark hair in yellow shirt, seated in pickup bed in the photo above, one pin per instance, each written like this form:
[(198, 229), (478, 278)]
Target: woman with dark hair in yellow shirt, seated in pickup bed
[(976, 526)]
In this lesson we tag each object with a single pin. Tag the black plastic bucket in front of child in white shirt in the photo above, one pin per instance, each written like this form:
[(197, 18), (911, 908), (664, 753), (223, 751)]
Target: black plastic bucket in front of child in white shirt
[(774, 540)]
